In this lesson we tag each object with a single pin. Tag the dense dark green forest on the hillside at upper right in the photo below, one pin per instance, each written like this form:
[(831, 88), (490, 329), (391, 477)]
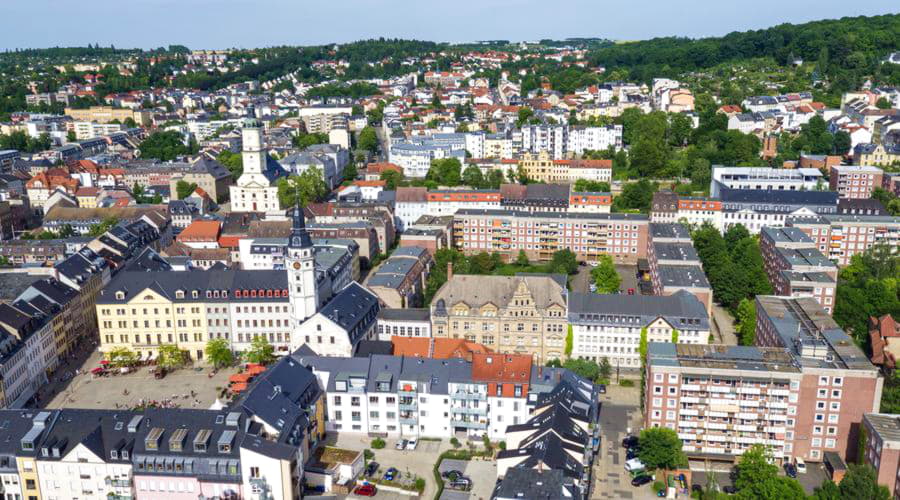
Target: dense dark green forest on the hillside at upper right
[(846, 51)]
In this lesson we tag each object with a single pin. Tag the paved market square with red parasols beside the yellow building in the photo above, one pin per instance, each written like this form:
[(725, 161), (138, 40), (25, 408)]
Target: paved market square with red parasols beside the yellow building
[(127, 391)]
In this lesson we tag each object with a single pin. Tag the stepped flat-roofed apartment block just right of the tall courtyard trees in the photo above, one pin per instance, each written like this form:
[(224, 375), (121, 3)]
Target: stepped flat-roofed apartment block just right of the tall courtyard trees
[(796, 268)]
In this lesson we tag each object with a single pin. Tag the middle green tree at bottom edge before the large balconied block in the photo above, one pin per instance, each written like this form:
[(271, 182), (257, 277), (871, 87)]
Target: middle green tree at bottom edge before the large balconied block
[(757, 478)]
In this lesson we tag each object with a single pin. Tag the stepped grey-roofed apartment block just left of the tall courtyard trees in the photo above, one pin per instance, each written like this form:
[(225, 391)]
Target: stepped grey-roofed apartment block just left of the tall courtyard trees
[(674, 264)]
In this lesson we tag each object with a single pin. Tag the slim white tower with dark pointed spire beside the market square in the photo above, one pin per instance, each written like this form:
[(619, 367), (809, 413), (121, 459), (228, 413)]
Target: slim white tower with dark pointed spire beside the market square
[(301, 269)]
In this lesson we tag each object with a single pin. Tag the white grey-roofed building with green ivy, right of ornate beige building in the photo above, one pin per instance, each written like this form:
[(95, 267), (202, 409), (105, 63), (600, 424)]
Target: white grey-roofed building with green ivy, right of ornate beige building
[(611, 326)]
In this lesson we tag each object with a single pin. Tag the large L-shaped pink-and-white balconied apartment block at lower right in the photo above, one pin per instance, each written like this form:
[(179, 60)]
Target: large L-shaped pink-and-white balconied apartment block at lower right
[(802, 392)]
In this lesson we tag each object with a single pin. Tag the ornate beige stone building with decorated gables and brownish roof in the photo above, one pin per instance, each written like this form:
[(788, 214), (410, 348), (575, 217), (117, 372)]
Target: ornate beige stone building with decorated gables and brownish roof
[(514, 314)]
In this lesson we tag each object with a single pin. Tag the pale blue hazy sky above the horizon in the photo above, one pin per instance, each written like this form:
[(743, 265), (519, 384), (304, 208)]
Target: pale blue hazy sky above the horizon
[(212, 24)]
